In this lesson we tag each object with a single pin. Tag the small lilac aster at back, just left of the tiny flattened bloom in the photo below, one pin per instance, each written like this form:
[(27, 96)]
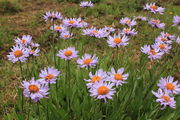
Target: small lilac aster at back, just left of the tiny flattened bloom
[(127, 21)]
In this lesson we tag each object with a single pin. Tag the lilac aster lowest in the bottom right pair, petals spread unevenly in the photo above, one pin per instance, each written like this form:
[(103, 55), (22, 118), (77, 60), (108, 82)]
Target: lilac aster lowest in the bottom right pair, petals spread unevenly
[(164, 99)]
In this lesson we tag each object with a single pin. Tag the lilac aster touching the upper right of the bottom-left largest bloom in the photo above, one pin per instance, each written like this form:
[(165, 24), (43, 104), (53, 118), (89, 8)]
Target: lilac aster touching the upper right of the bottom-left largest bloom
[(49, 75)]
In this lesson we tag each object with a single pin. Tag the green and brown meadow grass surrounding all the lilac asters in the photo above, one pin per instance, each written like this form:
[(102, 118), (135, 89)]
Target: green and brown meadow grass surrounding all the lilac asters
[(133, 101)]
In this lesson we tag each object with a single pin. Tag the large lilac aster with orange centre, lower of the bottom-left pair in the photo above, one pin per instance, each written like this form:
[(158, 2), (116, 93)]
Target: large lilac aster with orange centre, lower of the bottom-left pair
[(35, 90)]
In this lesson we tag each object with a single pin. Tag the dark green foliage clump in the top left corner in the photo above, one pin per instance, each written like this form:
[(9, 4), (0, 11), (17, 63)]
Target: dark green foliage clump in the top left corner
[(7, 7)]
